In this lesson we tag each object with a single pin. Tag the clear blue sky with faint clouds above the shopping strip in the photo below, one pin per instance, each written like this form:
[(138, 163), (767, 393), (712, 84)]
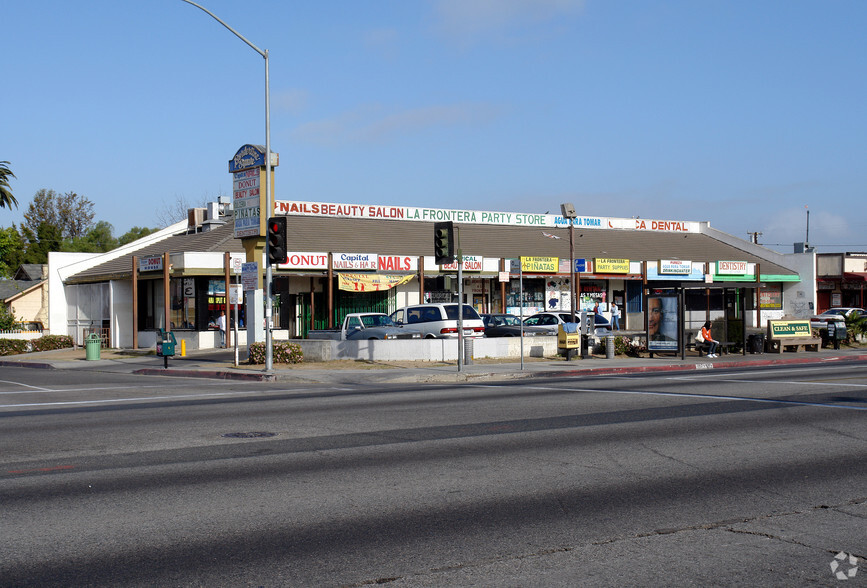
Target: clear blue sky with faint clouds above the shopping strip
[(740, 113)]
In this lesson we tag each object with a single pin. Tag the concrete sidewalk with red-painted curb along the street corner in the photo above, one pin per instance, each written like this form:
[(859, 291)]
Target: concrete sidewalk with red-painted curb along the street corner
[(220, 364)]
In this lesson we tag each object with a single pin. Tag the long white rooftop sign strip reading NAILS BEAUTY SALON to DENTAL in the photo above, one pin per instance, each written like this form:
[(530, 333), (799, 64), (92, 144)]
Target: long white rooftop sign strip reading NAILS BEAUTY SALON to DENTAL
[(483, 217)]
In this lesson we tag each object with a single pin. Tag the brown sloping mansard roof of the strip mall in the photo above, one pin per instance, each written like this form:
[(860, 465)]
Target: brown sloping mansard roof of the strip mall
[(320, 234)]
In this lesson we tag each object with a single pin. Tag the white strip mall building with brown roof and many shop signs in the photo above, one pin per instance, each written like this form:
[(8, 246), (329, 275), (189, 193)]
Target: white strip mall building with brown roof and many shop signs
[(358, 257)]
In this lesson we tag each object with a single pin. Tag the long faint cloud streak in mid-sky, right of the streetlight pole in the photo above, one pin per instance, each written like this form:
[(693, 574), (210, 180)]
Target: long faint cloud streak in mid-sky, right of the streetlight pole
[(369, 124)]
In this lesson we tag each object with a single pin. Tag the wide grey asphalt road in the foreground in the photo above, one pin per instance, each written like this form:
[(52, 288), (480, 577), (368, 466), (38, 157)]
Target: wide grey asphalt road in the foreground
[(730, 477)]
